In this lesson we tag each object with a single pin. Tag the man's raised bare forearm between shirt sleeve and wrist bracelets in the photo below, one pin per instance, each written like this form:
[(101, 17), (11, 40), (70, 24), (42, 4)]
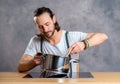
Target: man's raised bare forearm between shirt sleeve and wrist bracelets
[(96, 38)]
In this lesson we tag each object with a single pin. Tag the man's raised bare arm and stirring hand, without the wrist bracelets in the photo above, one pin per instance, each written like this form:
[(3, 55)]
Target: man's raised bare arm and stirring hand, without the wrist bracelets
[(94, 40)]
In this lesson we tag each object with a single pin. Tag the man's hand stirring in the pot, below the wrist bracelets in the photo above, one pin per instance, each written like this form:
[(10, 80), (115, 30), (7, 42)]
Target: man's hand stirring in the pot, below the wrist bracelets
[(76, 48)]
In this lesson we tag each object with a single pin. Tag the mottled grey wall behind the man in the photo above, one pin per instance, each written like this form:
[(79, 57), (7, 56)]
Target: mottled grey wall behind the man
[(17, 27)]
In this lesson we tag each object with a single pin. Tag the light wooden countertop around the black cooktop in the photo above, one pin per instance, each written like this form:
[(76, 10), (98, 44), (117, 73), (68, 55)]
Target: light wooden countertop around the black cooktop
[(99, 78)]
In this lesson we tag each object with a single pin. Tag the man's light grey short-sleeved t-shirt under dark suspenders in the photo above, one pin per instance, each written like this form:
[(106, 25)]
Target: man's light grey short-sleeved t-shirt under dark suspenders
[(58, 49)]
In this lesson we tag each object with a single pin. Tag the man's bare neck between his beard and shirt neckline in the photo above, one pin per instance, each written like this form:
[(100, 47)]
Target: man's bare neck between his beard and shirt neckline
[(55, 39)]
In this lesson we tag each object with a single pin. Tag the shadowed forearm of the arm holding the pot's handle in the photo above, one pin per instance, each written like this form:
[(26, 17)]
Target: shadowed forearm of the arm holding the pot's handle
[(24, 66)]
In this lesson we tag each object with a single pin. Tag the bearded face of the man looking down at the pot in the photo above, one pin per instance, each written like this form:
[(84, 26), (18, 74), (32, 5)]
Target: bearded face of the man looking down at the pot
[(46, 25)]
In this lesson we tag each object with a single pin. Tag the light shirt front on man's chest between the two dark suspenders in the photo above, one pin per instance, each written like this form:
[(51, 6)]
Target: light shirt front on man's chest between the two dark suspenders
[(58, 49)]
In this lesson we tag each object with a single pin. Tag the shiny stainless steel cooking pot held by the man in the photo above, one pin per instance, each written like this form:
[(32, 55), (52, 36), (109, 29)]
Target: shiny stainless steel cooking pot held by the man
[(55, 63)]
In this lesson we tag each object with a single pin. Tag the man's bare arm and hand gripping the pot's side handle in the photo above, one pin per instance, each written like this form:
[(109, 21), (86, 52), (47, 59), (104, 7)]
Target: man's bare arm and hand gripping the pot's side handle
[(28, 62)]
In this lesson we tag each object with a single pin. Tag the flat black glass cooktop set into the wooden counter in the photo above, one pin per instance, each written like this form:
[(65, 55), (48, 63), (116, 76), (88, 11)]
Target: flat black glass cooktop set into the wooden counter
[(58, 75)]
